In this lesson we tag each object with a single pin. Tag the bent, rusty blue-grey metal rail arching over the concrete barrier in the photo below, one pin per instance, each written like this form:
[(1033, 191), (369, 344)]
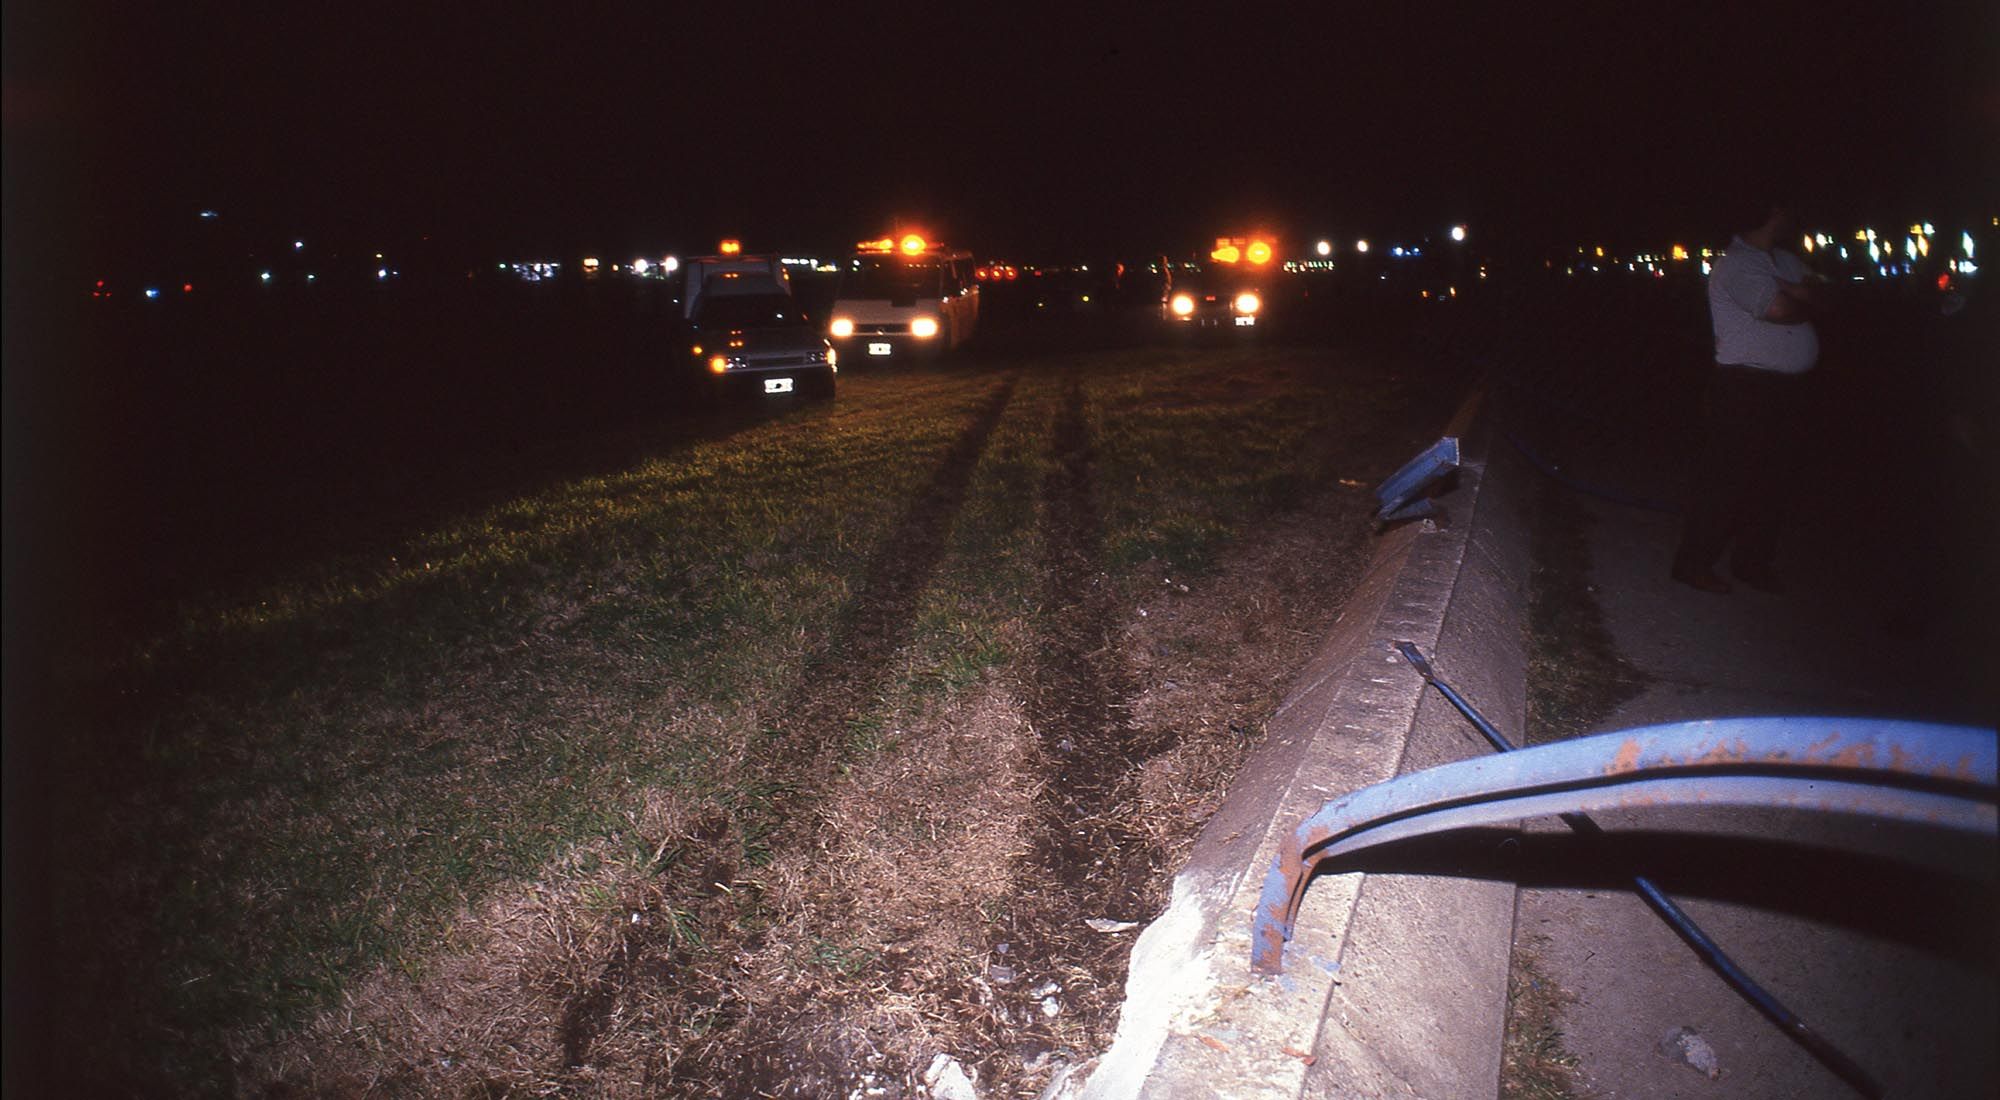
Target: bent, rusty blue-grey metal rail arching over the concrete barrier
[(1883, 769)]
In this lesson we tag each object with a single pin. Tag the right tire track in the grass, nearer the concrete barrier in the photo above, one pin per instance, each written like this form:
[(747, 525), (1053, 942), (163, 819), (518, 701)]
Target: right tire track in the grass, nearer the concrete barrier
[(1087, 861)]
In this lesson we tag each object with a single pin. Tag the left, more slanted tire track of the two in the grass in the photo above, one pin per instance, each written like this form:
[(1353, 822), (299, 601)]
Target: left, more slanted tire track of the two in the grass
[(813, 729)]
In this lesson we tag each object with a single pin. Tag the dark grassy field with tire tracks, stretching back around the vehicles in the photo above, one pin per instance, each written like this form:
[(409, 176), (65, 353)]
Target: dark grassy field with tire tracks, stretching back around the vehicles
[(407, 669)]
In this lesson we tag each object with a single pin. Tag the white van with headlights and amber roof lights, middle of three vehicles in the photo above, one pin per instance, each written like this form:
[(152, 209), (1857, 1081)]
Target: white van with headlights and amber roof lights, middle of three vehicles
[(905, 297)]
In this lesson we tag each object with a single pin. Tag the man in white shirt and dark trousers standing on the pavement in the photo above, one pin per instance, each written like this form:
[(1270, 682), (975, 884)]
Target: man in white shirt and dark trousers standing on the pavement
[(1761, 303)]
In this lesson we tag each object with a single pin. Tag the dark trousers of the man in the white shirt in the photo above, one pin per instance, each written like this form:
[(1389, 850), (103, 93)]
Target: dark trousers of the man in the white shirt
[(1743, 475)]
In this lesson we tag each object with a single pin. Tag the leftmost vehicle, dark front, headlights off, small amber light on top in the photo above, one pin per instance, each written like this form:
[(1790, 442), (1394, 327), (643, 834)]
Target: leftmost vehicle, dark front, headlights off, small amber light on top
[(745, 331)]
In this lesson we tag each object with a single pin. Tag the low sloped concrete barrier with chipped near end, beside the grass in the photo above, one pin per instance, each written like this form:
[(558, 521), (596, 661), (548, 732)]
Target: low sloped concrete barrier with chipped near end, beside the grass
[(1395, 985)]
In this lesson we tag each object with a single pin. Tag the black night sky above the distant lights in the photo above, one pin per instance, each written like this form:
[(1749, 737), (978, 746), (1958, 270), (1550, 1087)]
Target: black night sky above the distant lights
[(1013, 129)]
